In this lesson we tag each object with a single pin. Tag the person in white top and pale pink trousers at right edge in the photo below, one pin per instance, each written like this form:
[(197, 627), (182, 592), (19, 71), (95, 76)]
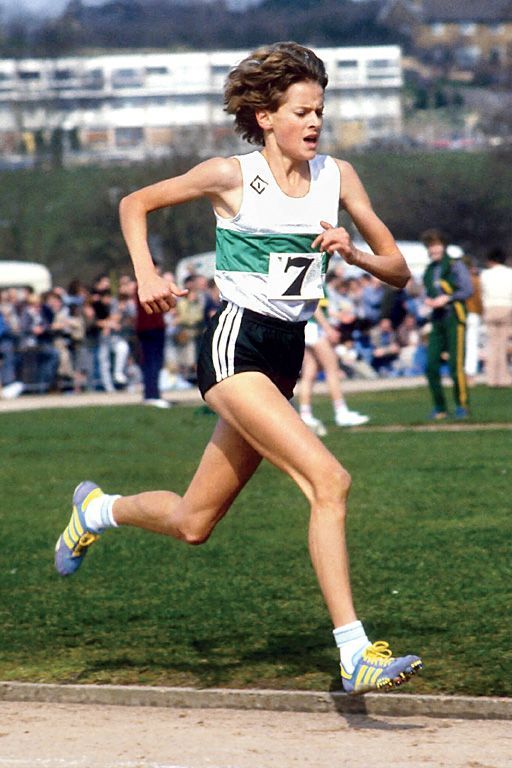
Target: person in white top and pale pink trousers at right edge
[(497, 305)]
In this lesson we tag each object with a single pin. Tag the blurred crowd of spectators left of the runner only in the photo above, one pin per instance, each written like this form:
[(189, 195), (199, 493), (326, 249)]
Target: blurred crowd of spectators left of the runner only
[(82, 338)]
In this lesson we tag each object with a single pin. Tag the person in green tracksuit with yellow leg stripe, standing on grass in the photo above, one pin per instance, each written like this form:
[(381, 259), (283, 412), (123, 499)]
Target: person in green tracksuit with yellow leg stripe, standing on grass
[(447, 285)]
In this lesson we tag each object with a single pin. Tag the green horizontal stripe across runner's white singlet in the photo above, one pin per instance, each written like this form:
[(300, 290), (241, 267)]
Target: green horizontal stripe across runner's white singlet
[(238, 252)]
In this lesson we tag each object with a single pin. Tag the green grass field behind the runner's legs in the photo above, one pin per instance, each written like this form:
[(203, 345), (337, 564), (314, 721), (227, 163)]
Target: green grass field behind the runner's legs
[(429, 535)]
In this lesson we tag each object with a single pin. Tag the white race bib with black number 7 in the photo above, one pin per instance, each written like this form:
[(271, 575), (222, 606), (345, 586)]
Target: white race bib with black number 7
[(295, 276)]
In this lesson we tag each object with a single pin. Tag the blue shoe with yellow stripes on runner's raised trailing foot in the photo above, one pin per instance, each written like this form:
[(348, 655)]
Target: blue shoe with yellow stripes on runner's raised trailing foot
[(72, 546)]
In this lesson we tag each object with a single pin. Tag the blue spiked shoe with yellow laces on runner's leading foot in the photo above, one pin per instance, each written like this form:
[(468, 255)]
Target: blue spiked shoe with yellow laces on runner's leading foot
[(378, 670)]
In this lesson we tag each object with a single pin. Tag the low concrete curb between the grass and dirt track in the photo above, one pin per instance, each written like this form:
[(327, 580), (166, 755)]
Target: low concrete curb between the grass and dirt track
[(393, 704)]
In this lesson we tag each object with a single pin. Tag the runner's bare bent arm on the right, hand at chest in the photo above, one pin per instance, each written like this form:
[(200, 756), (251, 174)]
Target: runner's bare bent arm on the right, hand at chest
[(386, 262)]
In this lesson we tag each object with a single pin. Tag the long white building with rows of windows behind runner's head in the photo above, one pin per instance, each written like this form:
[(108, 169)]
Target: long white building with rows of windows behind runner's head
[(148, 103)]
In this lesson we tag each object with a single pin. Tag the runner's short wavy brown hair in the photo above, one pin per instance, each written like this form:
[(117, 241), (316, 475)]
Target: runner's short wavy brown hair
[(261, 79)]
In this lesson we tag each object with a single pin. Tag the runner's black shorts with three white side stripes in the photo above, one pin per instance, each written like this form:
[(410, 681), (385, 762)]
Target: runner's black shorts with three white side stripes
[(238, 339)]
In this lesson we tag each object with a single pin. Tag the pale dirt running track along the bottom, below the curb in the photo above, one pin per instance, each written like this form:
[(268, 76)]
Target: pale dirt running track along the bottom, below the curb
[(37, 735)]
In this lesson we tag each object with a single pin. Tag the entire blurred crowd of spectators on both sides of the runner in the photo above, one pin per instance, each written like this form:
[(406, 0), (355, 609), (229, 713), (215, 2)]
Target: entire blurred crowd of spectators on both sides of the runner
[(82, 338)]
